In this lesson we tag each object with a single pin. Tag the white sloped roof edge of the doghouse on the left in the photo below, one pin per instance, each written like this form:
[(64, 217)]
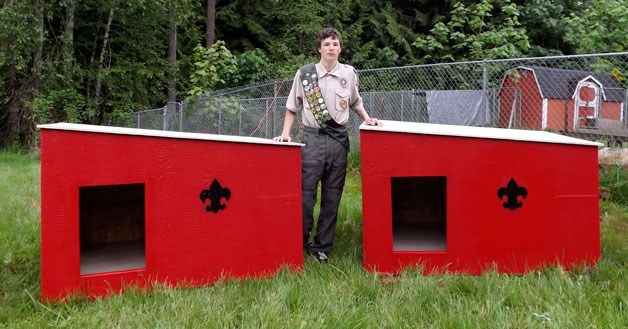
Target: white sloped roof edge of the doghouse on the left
[(162, 133)]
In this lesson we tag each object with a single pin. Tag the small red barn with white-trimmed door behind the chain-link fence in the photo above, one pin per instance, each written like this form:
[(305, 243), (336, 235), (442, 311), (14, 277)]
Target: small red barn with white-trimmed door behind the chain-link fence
[(566, 101)]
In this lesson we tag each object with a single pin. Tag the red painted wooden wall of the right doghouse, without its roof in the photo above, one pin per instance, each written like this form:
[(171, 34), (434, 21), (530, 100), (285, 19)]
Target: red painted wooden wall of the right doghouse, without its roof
[(557, 224)]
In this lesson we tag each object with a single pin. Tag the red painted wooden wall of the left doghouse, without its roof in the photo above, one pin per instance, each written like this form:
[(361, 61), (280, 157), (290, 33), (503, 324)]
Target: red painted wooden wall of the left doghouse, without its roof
[(257, 233)]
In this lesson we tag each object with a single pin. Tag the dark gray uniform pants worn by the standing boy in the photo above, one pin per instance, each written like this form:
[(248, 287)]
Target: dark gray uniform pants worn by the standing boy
[(324, 160)]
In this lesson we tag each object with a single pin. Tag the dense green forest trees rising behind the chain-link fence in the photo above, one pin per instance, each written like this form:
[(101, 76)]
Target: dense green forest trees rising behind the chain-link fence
[(85, 80)]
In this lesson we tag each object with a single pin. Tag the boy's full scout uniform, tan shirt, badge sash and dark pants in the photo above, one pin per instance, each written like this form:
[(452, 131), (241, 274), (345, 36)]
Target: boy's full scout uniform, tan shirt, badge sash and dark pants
[(324, 100)]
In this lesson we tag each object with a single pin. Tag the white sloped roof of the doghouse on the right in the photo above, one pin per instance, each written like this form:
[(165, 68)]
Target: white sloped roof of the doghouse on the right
[(477, 132)]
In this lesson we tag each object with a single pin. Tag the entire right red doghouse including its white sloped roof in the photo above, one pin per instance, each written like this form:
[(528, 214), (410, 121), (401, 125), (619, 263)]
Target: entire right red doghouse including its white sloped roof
[(468, 199)]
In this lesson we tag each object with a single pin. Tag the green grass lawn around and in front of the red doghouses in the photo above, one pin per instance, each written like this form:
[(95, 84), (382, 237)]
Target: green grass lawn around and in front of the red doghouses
[(337, 295)]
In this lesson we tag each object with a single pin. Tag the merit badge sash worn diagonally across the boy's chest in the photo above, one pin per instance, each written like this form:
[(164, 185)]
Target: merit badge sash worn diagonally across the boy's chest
[(319, 109)]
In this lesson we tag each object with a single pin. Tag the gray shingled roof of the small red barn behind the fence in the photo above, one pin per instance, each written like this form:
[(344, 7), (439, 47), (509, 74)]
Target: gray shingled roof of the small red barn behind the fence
[(561, 83)]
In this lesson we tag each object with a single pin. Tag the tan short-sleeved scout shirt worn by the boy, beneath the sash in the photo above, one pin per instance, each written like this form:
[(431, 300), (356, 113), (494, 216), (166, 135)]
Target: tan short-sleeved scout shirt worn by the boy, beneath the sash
[(340, 91)]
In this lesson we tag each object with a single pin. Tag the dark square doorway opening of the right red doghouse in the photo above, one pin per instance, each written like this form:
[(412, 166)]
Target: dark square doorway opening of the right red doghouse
[(419, 206)]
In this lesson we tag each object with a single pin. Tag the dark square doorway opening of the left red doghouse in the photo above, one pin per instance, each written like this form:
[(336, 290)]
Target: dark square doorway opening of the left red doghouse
[(111, 224)]
